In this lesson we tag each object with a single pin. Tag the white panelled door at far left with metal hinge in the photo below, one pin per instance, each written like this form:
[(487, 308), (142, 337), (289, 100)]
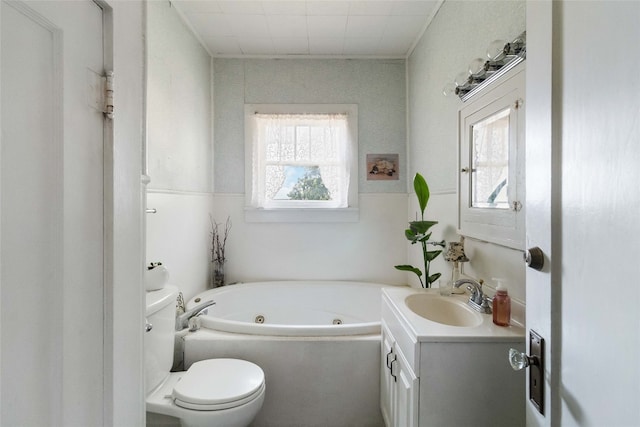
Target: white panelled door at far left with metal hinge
[(51, 224)]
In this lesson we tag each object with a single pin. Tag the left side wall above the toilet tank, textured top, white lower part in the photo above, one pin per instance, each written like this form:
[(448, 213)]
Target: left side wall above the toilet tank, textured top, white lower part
[(179, 149)]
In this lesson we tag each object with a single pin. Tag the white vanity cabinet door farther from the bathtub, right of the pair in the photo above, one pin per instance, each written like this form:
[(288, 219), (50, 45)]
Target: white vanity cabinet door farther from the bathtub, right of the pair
[(406, 393)]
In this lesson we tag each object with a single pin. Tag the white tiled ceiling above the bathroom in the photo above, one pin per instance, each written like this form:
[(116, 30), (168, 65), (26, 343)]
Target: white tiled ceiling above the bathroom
[(369, 28)]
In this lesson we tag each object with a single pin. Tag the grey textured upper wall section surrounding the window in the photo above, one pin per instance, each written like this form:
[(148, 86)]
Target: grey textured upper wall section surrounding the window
[(377, 86)]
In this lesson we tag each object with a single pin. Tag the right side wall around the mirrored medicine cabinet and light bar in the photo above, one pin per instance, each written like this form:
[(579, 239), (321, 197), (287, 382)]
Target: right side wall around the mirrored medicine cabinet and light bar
[(459, 32)]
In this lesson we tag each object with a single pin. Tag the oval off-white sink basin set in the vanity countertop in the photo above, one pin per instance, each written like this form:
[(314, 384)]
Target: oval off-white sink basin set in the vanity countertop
[(443, 310)]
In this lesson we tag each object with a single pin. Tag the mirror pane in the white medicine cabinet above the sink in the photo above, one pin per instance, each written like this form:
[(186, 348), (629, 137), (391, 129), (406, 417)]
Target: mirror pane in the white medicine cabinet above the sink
[(490, 161)]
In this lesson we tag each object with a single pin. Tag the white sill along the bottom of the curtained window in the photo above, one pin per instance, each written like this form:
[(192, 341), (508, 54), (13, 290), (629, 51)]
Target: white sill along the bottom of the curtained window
[(301, 215)]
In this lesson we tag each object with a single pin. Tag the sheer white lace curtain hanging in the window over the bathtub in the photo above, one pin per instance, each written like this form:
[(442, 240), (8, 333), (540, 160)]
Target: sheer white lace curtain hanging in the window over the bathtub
[(304, 140)]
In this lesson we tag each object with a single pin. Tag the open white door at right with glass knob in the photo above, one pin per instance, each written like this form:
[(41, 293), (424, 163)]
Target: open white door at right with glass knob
[(583, 133)]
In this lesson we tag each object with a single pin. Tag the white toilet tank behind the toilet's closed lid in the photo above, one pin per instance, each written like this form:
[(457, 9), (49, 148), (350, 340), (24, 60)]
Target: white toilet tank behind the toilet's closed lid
[(159, 341)]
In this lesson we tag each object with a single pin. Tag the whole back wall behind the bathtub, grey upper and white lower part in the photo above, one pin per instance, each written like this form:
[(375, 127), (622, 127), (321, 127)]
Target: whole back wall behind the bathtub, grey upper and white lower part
[(364, 250)]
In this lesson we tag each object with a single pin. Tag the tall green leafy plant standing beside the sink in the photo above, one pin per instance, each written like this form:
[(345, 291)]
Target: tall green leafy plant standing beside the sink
[(418, 232)]
